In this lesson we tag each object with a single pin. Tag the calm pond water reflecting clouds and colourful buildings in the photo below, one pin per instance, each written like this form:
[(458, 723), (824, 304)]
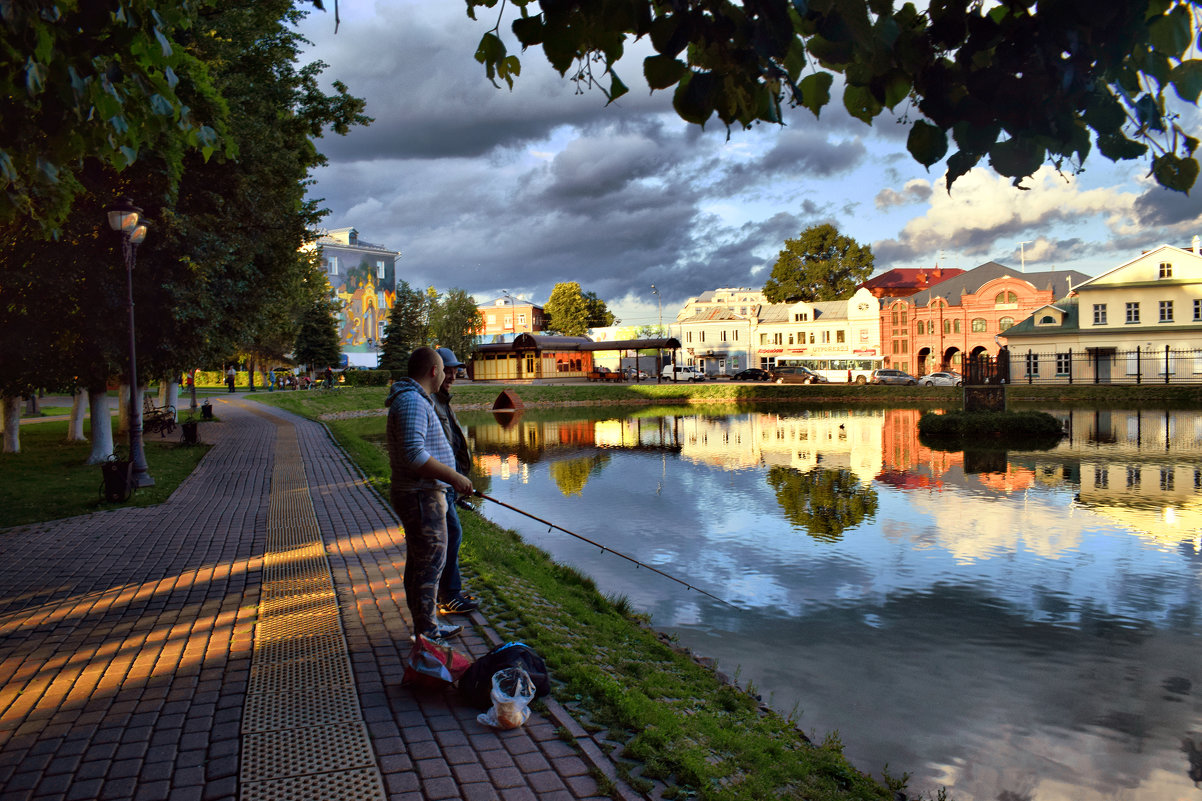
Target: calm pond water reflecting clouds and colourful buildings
[(1022, 628)]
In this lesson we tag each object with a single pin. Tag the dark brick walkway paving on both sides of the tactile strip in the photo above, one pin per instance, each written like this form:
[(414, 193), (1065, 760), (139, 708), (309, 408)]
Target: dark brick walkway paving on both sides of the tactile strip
[(128, 637)]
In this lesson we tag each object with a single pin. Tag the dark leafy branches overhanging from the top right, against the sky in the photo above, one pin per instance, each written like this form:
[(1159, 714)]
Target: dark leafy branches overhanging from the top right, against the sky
[(1014, 84)]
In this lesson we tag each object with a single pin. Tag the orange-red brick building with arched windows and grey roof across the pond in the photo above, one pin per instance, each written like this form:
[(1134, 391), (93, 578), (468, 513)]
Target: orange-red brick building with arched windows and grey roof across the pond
[(936, 329)]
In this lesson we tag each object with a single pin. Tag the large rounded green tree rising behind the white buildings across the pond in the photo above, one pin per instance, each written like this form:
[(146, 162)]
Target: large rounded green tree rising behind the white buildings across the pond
[(820, 265)]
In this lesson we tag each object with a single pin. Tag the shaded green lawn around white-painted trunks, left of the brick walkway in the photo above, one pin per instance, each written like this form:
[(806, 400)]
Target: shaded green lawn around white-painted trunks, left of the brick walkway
[(49, 479)]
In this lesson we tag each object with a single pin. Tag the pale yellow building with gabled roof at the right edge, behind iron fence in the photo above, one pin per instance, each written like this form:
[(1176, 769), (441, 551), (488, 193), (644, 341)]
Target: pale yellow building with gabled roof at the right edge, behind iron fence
[(1139, 323)]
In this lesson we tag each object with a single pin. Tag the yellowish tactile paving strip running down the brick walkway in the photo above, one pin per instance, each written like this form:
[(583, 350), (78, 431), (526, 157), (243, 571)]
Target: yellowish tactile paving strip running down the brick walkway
[(304, 732)]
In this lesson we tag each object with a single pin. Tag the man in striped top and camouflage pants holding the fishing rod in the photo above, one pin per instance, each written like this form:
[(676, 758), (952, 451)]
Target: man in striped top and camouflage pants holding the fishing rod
[(423, 480)]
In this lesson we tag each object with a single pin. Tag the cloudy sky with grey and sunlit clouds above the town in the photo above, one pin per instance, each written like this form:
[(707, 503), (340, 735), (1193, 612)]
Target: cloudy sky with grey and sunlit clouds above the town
[(489, 191)]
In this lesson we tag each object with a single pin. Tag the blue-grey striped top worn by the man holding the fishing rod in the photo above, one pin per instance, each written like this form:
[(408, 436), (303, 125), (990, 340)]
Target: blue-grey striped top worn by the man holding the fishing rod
[(415, 436)]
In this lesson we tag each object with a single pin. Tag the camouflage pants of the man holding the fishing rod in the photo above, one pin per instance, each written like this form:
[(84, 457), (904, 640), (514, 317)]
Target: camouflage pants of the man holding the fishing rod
[(424, 514)]
